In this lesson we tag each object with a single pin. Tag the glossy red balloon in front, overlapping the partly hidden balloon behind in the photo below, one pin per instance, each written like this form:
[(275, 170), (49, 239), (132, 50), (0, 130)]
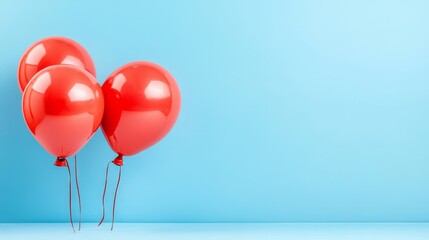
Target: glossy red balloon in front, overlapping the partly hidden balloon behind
[(63, 107)]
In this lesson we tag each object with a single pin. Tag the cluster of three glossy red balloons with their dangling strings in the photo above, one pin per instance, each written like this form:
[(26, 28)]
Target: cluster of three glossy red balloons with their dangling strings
[(63, 105)]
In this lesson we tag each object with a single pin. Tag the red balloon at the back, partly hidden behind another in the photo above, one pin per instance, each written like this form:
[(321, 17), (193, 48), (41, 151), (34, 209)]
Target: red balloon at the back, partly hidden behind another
[(52, 51)]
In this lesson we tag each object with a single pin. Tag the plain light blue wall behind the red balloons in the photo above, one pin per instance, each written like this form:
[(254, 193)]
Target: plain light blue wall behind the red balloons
[(292, 111)]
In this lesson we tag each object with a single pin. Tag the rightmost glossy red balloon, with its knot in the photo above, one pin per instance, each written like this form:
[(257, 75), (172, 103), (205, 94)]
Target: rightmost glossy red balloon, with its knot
[(142, 103)]
